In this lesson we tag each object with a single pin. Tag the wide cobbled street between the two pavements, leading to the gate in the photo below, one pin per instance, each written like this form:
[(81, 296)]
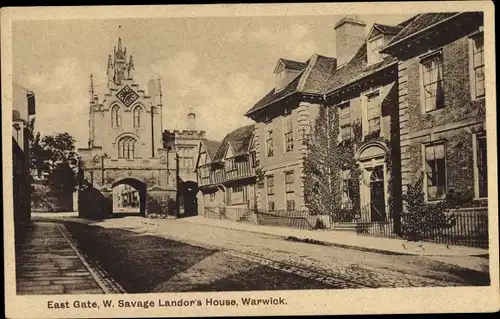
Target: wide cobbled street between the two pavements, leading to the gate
[(182, 256)]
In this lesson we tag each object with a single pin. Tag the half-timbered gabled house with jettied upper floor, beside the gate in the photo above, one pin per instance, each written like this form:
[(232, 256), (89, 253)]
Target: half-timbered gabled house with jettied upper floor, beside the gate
[(226, 174)]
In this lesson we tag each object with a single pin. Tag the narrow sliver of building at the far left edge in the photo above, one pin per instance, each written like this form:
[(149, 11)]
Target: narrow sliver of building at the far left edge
[(23, 109)]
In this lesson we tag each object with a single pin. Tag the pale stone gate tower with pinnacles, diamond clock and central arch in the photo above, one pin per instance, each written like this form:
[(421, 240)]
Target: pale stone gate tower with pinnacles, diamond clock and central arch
[(125, 143)]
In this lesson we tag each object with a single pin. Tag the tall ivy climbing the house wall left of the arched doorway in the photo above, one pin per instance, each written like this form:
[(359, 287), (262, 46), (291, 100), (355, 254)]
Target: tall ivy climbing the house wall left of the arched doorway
[(321, 170)]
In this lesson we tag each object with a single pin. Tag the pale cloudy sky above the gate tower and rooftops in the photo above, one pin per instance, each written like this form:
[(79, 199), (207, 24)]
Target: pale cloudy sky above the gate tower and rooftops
[(218, 66)]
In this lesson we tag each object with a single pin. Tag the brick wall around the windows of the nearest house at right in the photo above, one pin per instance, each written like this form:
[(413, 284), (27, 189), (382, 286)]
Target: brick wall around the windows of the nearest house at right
[(455, 123)]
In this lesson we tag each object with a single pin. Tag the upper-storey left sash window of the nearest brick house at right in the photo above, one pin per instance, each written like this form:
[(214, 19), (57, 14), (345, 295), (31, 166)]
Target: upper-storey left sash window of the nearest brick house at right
[(432, 82)]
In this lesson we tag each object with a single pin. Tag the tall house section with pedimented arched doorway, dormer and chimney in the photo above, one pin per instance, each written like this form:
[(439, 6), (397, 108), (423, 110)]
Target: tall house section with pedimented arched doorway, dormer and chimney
[(364, 93)]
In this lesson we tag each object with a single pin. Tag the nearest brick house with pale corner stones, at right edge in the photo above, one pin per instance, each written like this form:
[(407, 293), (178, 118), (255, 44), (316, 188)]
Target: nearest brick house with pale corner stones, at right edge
[(442, 105)]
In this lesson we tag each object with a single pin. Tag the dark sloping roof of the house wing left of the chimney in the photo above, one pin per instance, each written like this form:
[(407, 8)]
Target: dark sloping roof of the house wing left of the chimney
[(312, 80)]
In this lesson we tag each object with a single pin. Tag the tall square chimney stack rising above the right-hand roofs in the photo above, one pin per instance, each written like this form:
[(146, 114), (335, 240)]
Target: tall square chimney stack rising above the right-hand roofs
[(349, 36)]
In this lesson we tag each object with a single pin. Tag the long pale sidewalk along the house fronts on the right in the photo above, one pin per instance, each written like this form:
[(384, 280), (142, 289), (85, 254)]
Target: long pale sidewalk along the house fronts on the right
[(347, 239)]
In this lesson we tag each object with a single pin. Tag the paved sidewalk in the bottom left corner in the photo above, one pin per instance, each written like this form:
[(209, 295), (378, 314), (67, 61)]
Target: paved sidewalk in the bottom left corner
[(47, 263)]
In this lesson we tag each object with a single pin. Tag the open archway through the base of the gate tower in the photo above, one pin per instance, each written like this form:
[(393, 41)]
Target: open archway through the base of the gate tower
[(129, 197)]
